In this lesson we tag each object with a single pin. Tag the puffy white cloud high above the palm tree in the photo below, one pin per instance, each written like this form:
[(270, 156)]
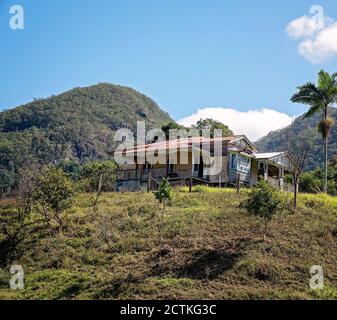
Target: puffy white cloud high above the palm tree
[(318, 40)]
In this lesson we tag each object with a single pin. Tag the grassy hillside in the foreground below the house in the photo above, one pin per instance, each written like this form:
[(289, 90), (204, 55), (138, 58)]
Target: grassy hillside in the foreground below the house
[(211, 249)]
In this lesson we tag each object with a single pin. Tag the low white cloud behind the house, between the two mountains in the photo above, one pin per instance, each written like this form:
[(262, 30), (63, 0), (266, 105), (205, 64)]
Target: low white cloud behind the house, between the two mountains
[(253, 123)]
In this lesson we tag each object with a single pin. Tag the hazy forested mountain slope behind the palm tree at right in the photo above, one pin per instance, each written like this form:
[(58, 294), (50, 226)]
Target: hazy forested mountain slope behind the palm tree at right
[(278, 140)]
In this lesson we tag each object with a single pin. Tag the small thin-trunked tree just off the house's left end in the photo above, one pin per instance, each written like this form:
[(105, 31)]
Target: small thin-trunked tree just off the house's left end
[(99, 176)]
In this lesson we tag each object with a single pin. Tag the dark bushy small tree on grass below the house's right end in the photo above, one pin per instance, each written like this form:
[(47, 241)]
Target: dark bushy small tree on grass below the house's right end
[(264, 201)]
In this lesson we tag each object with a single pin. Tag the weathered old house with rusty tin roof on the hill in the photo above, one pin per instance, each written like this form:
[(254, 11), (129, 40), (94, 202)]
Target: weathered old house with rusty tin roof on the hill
[(220, 161)]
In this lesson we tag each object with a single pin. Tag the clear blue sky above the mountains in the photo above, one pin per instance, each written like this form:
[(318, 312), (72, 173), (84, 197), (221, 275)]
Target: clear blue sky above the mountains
[(185, 54)]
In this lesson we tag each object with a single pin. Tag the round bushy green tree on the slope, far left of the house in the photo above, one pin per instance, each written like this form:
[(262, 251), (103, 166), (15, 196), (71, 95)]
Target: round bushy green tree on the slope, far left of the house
[(54, 192)]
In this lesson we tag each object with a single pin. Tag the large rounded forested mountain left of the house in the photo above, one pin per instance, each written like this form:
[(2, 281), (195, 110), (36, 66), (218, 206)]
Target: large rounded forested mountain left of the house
[(77, 125)]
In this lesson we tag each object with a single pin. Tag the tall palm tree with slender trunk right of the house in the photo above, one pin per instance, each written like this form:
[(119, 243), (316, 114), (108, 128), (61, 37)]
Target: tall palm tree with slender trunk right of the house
[(320, 97)]
